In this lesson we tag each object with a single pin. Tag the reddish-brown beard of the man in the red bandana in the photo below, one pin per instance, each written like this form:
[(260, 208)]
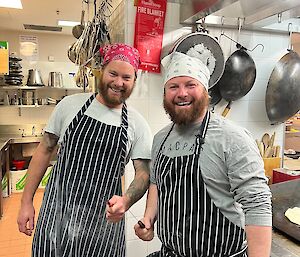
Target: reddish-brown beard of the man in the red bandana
[(103, 90)]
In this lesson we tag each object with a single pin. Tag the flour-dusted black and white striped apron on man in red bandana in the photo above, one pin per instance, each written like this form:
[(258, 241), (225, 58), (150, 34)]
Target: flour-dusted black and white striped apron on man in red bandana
[(72, 220)]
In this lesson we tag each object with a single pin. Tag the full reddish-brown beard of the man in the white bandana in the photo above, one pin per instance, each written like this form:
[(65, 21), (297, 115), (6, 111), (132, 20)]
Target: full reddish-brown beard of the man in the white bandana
[(184, 116)]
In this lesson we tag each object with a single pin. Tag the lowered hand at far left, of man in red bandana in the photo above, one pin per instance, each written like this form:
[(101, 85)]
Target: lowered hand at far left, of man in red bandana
[(26, 219)]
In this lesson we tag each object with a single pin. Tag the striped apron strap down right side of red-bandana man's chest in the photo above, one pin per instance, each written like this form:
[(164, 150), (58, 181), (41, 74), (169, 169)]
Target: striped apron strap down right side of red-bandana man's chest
[(124, 136)]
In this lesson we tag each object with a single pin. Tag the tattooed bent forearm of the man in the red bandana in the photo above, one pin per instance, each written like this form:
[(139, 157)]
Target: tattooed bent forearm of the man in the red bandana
[(140, 184)]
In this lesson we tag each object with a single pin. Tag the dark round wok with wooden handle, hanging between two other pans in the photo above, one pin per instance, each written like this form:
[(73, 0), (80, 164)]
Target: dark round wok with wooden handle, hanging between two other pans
[(238, 77)]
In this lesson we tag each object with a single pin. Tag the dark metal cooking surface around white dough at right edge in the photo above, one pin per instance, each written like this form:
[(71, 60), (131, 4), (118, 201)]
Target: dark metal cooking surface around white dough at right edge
[(285, 195)]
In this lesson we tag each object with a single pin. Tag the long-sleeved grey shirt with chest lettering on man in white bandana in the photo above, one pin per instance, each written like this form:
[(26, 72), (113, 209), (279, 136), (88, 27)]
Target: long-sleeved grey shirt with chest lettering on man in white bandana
[(231, 167)]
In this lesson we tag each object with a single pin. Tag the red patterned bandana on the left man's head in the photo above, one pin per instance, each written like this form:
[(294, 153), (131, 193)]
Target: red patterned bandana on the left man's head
[(121, 52)]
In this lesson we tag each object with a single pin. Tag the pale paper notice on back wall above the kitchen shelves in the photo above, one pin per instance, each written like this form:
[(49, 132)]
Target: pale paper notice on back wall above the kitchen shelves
[(29, 49)]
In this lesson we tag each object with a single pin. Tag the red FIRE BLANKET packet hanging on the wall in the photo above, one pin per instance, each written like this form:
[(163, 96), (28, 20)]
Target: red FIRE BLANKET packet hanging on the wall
[(149, 29)]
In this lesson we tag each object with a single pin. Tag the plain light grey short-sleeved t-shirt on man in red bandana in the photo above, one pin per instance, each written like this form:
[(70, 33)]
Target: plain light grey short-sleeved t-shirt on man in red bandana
[(139, 134)]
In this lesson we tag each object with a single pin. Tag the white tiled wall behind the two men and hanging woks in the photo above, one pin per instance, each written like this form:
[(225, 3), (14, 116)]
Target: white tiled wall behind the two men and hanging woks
[(248, 112)]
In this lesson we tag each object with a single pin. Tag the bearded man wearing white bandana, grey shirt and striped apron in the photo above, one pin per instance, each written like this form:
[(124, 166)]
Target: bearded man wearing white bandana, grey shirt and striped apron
[(208, 191)]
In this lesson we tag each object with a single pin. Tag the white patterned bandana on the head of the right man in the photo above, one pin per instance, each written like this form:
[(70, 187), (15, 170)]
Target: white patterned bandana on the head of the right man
[(178, 64)]
